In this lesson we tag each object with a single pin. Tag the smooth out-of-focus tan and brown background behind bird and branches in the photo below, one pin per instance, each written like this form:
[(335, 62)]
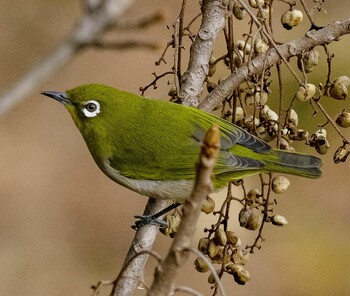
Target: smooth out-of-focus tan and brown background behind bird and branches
[(64, 225)]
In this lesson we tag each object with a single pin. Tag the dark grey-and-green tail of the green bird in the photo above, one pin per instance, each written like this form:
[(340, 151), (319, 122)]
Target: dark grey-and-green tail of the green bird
[(294, 163)]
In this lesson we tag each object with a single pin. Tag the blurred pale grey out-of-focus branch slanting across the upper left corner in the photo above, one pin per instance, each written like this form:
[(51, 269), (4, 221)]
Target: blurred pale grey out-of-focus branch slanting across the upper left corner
[(88, 29)]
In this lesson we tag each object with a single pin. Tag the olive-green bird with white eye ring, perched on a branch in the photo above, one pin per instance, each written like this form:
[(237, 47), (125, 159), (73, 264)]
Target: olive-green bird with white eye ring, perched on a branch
[(151, 146)]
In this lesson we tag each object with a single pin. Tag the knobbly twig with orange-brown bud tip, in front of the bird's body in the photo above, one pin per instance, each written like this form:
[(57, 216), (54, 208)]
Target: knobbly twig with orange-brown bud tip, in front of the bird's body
[(166, 273)]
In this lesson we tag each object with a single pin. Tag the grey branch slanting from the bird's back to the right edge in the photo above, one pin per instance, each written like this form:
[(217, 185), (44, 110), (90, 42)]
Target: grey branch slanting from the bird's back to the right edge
[(311, 39)]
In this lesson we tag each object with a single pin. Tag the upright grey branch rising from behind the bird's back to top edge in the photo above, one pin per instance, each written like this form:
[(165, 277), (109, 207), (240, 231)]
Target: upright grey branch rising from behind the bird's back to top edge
[(213, 21)]
